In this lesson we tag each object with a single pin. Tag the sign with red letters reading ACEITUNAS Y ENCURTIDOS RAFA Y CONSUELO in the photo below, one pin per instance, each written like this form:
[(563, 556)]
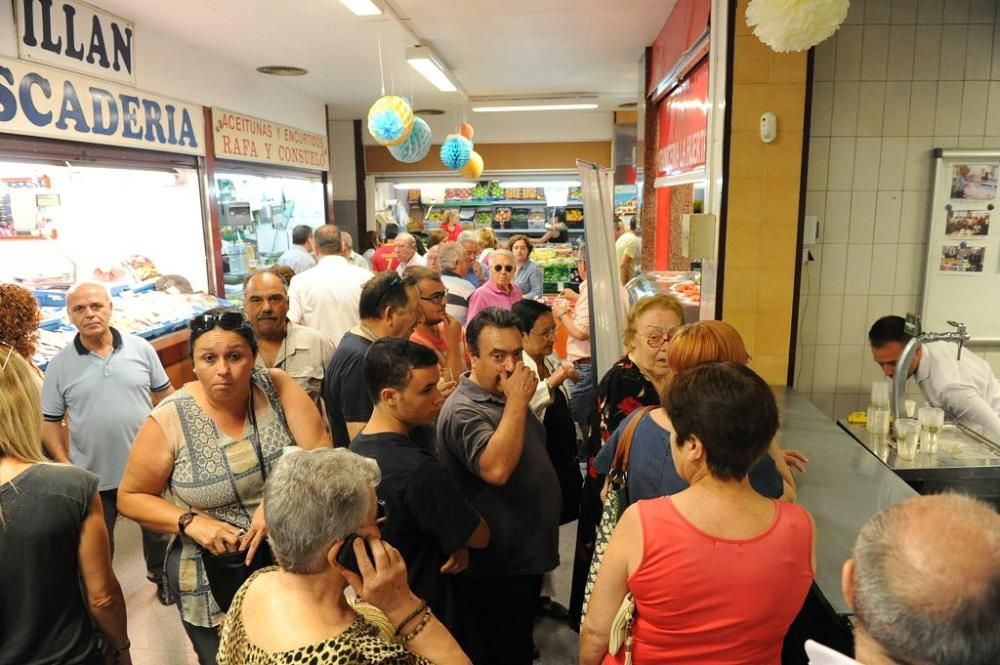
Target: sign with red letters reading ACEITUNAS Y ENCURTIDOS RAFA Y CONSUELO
[(250, 139)]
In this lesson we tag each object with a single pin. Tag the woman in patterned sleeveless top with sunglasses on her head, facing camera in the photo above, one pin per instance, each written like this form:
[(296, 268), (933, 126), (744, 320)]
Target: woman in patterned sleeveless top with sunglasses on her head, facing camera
[(211, 444)]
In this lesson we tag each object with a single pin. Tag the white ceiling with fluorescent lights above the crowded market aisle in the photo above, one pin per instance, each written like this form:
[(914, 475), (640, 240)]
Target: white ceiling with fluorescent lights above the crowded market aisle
[(494, 47)]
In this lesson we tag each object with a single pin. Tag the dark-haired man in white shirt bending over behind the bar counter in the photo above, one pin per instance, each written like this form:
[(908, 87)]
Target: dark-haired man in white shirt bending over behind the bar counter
[(965, 388)]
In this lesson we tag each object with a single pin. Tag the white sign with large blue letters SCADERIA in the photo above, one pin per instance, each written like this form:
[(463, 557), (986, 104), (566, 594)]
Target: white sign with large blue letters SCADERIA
[(38, 101)]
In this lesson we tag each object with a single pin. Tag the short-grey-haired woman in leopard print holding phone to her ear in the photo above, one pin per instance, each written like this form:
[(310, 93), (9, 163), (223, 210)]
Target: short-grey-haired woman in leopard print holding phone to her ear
[(297, 612)]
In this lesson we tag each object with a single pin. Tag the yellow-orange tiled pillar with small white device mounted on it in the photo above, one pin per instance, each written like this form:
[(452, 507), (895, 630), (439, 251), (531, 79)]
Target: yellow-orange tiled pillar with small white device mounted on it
[(763, 199)]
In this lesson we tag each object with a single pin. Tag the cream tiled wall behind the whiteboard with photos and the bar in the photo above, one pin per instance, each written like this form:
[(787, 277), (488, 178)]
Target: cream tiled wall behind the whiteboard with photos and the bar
[(899, 78)]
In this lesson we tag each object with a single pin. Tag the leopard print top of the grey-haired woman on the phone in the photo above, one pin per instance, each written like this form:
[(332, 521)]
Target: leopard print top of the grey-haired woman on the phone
[(360, 644)]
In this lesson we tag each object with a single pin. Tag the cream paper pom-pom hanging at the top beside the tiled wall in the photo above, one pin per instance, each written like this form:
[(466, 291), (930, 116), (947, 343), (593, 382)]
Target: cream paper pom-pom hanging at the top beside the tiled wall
[(795, 25)]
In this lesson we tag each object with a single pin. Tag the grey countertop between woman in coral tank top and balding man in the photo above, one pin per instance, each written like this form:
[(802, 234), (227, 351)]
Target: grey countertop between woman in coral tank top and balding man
[(843, 487)]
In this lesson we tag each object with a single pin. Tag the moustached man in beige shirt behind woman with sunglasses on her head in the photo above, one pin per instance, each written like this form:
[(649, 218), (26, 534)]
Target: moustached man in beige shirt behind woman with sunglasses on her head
[(300, 351)]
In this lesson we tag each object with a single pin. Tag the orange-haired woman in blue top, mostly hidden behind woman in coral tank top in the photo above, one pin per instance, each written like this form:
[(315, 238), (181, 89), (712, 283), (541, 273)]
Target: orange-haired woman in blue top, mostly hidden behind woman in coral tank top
[(651, 470)]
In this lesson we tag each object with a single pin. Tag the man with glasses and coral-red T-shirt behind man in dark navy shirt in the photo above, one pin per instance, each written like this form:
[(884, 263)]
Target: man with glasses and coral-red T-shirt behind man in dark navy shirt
[(438, 331)]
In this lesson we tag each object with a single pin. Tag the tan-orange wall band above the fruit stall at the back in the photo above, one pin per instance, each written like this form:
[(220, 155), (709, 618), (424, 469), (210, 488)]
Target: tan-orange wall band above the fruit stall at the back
[(499, 157)]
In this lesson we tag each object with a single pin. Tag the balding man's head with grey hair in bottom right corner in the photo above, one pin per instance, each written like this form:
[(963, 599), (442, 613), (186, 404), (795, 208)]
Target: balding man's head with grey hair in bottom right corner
[(925, 581)]
